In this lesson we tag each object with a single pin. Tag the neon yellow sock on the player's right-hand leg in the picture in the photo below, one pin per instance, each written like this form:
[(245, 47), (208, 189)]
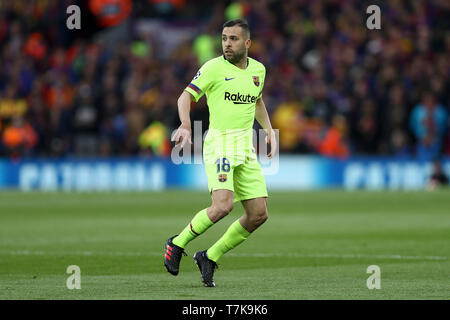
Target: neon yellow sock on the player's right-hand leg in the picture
[(235, 235)]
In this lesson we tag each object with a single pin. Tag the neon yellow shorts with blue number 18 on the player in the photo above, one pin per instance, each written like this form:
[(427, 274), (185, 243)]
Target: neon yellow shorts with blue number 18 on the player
[(239, 172)]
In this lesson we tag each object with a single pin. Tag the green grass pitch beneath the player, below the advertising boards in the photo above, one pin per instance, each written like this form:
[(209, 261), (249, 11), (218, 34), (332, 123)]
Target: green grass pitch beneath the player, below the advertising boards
[(315, 245)]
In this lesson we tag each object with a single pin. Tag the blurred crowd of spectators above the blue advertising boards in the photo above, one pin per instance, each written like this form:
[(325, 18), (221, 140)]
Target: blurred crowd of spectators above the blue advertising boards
[(333, 87)]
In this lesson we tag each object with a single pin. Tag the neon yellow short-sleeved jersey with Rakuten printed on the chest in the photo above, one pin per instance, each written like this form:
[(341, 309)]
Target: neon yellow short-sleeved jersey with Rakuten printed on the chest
[(231, 93)]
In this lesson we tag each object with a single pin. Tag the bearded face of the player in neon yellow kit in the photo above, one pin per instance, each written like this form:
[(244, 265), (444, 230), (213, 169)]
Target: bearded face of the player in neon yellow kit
[(234, 43)]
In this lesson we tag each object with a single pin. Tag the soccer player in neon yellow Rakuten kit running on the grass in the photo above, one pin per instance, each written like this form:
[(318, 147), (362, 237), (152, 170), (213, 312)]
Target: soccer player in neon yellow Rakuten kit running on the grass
[(233, 86)]
